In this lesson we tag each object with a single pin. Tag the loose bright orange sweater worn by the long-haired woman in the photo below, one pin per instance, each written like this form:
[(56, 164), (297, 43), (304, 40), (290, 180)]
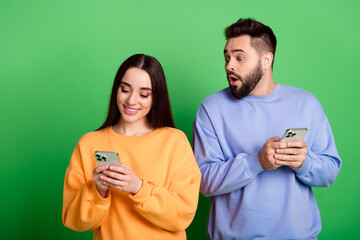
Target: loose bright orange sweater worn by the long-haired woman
[(164, 206)]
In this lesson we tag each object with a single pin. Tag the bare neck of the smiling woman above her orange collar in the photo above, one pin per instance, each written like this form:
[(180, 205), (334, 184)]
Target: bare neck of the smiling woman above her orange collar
[(134, 128)]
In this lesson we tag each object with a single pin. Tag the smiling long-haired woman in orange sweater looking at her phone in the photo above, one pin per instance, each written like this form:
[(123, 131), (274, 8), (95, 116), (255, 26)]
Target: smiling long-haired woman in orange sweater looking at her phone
[(154, 193)]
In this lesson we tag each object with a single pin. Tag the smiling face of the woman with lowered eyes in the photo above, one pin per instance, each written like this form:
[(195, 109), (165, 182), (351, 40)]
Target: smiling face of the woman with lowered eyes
[(134, 96)]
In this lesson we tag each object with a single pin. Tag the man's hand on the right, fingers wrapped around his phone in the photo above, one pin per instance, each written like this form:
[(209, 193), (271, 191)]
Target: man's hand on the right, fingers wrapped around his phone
[(292, 155)]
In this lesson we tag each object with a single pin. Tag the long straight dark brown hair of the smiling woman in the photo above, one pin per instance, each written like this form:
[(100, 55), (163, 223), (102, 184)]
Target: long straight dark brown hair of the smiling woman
[(160, 114)]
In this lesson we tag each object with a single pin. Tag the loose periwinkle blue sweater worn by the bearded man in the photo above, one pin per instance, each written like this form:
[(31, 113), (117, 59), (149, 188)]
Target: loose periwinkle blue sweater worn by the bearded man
[(246, 201)]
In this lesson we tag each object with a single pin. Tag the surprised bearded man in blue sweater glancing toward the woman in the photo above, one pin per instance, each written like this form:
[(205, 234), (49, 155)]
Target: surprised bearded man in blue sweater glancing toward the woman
[(260, 187)]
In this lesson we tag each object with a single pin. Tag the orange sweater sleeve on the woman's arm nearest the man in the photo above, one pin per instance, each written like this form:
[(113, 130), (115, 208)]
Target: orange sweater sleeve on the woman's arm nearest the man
[(173, 207)]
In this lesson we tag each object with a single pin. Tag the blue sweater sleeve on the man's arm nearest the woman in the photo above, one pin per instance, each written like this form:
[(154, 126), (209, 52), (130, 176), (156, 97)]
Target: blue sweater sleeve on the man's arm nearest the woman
[(220, 175)]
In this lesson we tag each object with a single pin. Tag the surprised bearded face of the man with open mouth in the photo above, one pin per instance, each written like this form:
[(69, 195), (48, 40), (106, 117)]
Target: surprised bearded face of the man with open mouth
[(242, 65)]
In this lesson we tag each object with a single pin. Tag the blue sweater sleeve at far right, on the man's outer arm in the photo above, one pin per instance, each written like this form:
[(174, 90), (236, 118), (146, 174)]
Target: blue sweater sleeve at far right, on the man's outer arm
[(322, 163)]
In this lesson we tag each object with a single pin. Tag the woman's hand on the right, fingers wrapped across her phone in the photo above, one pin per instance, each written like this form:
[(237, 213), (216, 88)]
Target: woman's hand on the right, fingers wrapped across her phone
[(122, 178)]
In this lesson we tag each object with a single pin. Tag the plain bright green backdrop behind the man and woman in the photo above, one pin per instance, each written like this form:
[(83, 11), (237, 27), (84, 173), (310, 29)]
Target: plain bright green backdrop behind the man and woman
[(58, 60)]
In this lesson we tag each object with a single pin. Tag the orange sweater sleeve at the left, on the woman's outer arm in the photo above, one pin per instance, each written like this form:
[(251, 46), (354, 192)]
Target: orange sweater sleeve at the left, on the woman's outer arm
[(83, 208)]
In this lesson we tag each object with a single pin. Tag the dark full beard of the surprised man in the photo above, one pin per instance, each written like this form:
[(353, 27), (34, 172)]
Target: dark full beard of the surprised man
[(249, 82)]
